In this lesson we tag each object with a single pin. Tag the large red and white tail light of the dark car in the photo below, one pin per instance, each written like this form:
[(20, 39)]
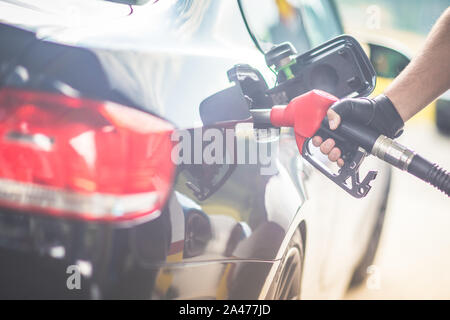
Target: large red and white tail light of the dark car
[(82, 158)]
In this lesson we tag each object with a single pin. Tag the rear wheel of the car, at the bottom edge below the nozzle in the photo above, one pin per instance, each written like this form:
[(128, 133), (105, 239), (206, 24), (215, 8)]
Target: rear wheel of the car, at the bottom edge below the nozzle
[(289, 275)]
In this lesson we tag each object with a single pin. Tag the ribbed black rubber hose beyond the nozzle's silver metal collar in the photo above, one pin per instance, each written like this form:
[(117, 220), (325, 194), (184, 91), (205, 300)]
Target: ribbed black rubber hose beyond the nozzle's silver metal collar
[(431, 173)]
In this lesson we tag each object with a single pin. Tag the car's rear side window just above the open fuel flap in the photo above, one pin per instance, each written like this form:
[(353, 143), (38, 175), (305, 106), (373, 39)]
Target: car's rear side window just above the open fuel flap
[(304, 23)]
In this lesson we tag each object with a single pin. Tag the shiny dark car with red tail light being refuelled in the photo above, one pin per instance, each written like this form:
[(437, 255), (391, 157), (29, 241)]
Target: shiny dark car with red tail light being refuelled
[(93, 205)]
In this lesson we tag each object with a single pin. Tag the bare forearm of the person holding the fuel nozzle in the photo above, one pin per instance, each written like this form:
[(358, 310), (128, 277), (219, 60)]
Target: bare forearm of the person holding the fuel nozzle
[(428, 74)]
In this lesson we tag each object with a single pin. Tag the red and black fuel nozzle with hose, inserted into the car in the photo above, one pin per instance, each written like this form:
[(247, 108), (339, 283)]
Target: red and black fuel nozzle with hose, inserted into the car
[(306, 114)]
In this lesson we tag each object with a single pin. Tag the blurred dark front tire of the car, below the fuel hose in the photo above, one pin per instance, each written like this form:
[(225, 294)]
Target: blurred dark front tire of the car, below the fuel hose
[(360, 273)]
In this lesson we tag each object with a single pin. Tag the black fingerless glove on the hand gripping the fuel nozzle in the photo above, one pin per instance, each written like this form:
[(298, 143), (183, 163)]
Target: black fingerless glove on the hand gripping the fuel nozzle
[(378, 113)]
